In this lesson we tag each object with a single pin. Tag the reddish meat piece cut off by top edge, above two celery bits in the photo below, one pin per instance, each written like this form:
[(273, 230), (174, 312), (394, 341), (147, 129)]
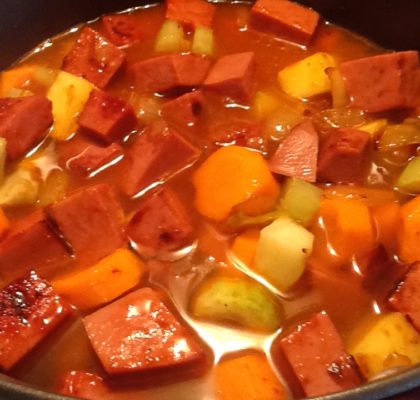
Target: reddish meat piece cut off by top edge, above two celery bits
[(190, 13)]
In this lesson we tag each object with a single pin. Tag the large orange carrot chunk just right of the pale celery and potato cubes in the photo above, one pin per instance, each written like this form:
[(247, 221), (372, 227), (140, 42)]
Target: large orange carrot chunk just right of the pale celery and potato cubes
[(348, 226)]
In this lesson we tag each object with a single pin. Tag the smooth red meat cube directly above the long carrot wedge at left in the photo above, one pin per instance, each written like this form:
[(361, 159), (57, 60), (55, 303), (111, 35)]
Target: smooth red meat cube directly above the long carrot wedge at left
[(91, 222)]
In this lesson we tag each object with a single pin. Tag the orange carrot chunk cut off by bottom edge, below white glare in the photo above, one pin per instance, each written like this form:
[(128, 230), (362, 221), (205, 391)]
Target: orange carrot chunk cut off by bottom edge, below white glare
[(248, 377)]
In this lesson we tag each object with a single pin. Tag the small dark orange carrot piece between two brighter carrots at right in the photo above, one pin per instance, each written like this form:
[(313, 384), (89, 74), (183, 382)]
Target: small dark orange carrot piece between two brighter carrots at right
[(387, 219)]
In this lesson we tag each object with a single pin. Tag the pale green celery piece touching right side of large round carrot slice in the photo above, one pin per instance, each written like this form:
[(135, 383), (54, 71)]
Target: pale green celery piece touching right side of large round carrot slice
[(301, 200)]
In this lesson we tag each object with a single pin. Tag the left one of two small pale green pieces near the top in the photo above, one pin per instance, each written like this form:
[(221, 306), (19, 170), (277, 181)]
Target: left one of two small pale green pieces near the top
[(171, 39)]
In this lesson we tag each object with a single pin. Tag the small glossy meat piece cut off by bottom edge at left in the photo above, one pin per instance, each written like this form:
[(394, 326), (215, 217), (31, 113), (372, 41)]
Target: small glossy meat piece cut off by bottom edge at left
[(83, 385)]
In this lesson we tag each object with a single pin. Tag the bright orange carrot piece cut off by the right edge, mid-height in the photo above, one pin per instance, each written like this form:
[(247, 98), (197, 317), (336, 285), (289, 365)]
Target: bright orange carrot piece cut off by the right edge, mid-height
[(409, 235)]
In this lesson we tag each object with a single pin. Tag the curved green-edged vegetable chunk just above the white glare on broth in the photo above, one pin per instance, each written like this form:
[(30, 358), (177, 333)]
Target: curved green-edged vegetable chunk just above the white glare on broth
[(239, 301)]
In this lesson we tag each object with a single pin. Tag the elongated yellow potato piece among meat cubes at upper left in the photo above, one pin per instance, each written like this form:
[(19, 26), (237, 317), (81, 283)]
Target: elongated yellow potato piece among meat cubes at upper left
[(68, 95)]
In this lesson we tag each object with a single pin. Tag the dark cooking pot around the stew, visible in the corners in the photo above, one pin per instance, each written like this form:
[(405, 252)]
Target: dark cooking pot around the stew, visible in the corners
[(392, 24)]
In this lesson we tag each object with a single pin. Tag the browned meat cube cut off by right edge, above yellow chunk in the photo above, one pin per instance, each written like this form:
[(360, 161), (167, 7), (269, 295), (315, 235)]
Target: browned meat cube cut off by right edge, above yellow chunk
[(406, 297)]
